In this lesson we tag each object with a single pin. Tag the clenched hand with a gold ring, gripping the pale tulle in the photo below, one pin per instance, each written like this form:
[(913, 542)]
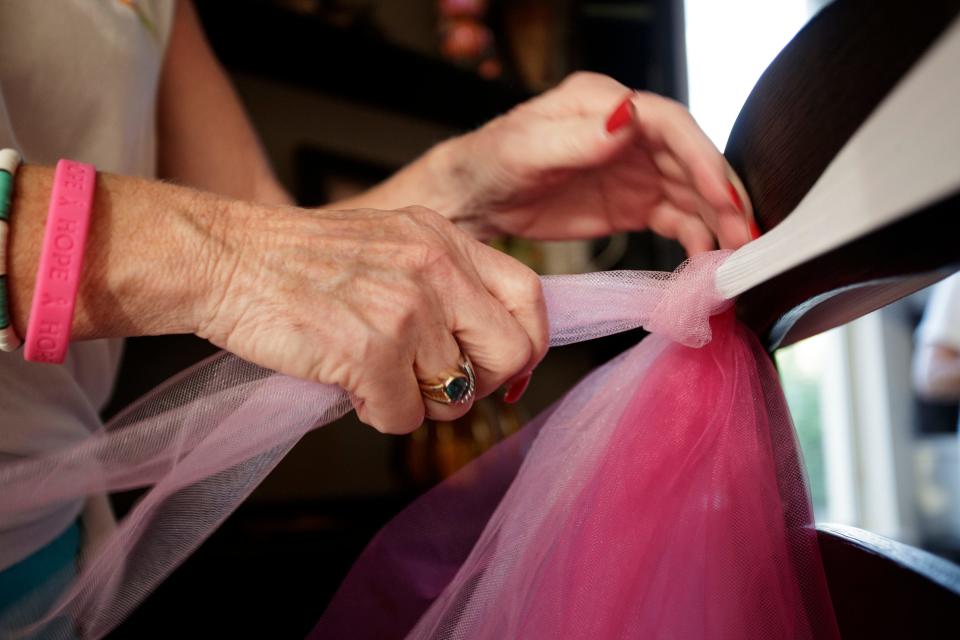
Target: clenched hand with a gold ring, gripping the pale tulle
[(372, 301)]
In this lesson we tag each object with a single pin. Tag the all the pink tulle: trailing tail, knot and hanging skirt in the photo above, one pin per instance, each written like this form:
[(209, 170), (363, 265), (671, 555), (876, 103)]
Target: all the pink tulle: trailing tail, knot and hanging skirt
[(663, 497)]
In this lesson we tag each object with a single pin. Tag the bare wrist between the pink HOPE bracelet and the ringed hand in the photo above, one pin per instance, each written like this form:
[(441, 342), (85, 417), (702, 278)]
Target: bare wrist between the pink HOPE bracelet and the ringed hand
[(150, 270)]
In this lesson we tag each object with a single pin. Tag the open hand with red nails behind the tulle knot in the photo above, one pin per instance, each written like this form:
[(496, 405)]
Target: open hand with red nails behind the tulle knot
[(591, 158)]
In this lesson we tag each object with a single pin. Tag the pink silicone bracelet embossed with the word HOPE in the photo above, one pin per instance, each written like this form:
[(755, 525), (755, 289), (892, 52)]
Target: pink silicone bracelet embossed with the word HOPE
[(61, 258)]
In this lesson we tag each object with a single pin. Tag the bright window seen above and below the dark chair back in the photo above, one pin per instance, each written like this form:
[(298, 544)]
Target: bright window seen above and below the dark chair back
[(729, 43)]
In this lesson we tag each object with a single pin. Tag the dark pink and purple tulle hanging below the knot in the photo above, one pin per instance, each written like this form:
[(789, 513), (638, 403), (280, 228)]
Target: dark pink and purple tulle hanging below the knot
[(663, 497)]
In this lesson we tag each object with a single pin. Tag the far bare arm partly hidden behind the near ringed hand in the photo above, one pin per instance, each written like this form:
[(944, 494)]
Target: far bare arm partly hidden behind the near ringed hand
[(208, 142)]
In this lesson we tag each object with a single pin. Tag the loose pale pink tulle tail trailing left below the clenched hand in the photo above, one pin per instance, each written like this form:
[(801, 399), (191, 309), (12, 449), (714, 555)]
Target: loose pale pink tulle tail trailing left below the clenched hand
[(202, 442)]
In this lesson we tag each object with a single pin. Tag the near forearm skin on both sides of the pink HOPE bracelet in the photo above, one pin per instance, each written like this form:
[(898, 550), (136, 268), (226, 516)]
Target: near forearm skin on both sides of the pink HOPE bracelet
[(148, 262)]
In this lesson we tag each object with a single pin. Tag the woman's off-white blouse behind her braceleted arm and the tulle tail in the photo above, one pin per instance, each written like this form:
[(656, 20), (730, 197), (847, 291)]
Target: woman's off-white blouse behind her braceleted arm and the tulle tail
[(78, 80)]
